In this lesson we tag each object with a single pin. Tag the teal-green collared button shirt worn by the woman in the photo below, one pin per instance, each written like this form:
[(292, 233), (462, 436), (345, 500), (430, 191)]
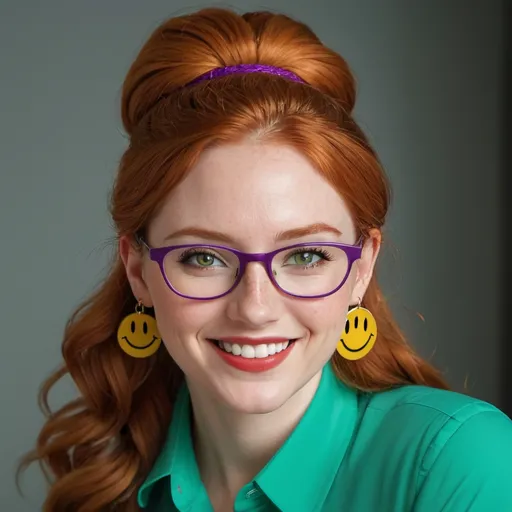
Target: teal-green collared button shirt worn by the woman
[(410, 449)]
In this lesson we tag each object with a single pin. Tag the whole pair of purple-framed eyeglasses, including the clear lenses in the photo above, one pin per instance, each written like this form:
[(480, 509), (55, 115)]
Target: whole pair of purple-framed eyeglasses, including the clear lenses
[(305, 278)]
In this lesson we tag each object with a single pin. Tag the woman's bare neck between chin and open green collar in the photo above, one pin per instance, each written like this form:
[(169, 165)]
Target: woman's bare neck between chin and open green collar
[(232, 447)]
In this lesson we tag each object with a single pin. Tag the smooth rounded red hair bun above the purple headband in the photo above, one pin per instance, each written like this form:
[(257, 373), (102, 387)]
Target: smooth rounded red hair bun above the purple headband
[(183, 48)]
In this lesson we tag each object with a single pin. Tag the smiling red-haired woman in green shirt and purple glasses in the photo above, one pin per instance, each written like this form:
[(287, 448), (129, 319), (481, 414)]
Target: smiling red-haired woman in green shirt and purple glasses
[(240, 355)]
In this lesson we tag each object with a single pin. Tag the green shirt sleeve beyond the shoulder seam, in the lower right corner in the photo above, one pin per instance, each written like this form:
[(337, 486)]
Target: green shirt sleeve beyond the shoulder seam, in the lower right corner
[(471, 471)]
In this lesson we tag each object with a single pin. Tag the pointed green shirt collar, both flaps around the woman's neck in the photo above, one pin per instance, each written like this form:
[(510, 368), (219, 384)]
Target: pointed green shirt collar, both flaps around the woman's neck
[(299, 475)]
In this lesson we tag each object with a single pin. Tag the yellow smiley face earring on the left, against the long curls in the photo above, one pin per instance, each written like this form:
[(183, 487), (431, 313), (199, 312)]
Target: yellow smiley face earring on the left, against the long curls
[(138, 335)]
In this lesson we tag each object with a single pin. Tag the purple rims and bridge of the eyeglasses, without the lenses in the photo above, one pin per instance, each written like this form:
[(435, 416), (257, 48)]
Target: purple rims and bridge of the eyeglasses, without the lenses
[(158, 254)]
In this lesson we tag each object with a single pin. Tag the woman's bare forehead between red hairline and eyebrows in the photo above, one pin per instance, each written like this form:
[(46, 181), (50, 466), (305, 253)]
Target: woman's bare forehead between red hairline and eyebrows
[(251, 191)]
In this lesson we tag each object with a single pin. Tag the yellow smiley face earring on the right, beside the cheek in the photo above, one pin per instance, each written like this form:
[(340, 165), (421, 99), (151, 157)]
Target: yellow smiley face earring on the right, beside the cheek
[(359, 335)]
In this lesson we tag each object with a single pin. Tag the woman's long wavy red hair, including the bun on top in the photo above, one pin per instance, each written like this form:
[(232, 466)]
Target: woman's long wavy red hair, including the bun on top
[(99, 448)]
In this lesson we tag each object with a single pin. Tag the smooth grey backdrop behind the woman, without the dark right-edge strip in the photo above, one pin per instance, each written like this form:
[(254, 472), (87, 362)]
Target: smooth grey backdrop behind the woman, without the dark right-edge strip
[(431, 96)]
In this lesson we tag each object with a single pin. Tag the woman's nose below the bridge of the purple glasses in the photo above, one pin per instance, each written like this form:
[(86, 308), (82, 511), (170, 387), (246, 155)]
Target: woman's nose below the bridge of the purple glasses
[(255, 301)]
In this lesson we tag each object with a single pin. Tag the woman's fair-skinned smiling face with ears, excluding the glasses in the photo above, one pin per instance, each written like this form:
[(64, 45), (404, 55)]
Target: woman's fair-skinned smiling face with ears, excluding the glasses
[(251, 193)]
